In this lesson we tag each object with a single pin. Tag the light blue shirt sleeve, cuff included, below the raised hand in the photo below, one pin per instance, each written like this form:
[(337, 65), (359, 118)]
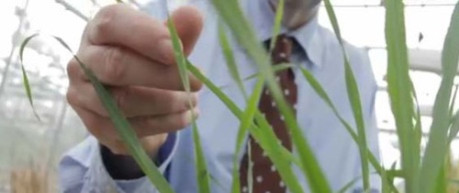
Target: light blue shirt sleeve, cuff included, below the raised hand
[(82, 170)]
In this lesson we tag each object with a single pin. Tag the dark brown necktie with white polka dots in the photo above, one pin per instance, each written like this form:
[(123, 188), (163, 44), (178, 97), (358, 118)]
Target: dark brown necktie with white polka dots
[(266, 179)]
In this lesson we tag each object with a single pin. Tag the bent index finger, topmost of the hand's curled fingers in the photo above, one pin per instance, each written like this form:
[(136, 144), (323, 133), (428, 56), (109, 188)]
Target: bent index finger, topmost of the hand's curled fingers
[(124, 26)]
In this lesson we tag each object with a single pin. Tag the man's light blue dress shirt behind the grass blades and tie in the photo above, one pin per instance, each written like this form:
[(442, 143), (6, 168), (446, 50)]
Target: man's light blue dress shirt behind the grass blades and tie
[(81, 169)]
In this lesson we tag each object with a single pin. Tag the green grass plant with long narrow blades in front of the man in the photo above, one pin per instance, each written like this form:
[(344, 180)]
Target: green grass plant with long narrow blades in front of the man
[(421, 173)]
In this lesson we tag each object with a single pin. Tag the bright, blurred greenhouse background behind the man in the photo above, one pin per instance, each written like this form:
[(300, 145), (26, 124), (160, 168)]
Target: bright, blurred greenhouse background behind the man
[(30, 149)]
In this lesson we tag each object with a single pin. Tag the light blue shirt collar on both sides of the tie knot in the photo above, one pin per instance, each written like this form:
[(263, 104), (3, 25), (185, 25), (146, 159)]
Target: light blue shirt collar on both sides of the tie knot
[(262, 16)]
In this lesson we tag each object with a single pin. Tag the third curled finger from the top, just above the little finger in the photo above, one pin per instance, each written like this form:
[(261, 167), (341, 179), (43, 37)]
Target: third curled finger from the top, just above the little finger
[(133, 101)]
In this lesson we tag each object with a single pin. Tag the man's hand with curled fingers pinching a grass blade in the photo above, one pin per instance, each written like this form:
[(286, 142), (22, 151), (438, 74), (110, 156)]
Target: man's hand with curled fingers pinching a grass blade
[(132, 54)]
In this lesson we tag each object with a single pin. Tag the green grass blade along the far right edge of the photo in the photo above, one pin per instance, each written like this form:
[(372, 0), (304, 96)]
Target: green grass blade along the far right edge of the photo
[(437, 145)]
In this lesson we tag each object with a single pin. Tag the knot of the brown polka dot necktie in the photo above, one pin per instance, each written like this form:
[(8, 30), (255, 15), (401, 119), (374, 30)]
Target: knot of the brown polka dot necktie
[(282, 49)]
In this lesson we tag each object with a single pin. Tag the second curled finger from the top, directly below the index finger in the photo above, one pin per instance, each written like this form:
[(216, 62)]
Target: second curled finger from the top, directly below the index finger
[(118, 66)]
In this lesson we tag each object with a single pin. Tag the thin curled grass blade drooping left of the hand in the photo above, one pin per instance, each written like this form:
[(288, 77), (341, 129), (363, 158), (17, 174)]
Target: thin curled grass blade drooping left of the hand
[(25, 78)]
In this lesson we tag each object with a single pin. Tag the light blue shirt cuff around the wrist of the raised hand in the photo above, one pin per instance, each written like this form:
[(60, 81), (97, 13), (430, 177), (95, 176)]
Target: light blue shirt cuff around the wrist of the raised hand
[(105, 183)]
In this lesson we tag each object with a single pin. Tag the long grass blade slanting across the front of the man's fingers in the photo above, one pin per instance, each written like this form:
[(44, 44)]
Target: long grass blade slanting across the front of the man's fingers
[(122, 126)]
